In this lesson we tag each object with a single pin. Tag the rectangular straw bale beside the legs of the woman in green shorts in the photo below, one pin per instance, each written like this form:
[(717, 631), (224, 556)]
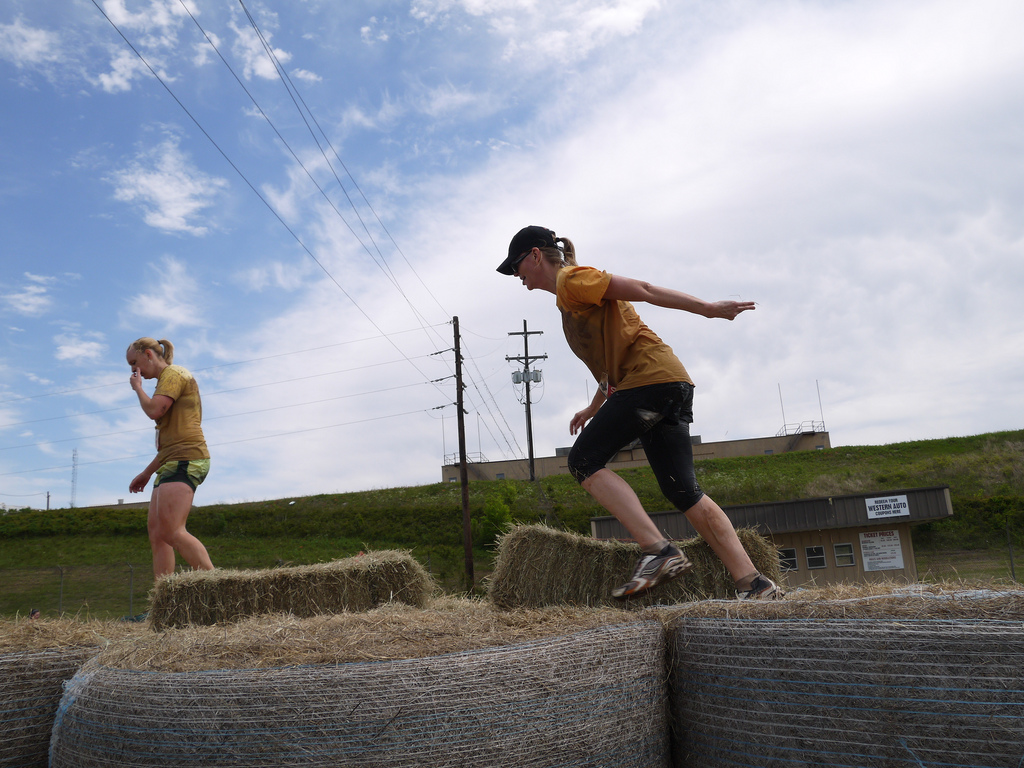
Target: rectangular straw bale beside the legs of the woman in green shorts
[(353, 584)]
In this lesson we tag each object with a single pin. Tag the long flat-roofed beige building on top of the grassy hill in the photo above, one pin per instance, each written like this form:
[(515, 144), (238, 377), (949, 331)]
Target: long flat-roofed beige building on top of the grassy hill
[(634, 456)]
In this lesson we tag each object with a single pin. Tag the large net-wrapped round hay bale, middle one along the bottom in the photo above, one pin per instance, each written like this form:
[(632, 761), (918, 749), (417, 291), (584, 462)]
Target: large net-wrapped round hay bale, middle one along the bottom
[(592, 699)]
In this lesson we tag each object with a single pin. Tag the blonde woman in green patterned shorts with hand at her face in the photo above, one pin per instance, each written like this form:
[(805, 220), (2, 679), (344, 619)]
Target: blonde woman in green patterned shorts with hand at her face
[(183, 460)]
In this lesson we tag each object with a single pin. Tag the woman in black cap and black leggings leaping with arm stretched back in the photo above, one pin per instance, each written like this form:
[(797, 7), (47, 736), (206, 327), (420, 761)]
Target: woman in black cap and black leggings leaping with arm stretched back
[(644, 392)]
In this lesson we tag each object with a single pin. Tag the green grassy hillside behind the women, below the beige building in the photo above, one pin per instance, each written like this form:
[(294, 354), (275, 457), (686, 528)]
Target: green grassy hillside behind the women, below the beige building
[(986, 475)]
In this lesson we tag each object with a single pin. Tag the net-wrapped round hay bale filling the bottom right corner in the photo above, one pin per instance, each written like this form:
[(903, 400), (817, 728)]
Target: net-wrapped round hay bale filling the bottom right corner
[(847, 692)]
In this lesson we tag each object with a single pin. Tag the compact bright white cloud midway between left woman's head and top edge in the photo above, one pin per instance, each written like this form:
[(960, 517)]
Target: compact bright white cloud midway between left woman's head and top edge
[(172, 193)]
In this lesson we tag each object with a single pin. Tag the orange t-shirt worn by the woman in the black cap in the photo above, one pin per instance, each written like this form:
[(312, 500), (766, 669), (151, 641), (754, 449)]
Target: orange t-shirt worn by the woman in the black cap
[(620, 351)]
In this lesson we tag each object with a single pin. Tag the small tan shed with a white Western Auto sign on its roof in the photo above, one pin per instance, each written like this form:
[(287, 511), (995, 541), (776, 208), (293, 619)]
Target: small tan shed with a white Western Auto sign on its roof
[(832, 540)]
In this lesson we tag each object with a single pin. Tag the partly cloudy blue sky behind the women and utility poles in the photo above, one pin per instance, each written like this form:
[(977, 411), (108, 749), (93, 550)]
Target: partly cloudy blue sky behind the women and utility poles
[(855, 167)]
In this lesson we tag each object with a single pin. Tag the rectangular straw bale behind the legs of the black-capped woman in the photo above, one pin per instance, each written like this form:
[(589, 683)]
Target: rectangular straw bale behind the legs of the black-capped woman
[(539, 566)]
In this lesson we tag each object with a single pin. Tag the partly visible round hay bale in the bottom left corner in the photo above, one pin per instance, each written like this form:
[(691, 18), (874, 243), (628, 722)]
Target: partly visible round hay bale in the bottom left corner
[(36, 659)]
